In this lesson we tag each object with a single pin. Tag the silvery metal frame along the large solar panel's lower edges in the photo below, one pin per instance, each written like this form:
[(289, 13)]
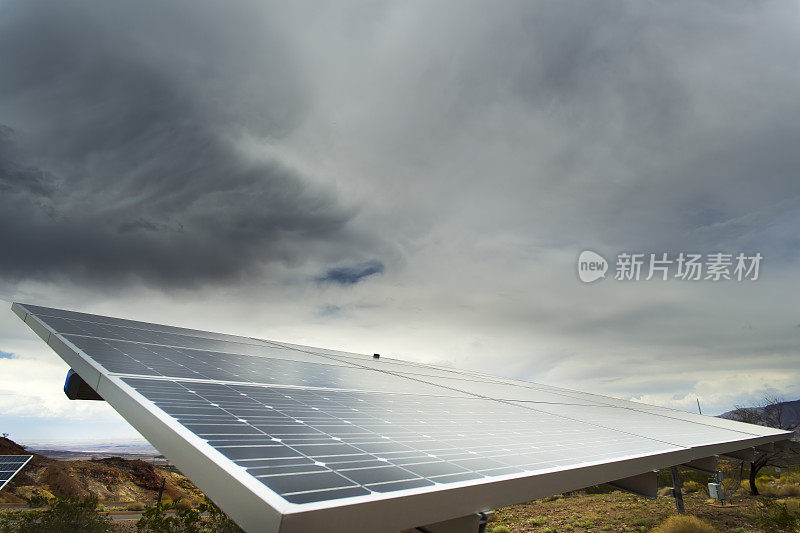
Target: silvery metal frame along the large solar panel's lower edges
[(256, 508)]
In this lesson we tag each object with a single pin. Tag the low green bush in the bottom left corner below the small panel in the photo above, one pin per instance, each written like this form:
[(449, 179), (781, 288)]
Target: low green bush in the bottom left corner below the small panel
[(65, 515)]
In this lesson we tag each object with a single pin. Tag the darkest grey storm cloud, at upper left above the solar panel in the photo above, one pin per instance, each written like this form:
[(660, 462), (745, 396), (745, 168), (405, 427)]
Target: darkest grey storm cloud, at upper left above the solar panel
[(118, 152)]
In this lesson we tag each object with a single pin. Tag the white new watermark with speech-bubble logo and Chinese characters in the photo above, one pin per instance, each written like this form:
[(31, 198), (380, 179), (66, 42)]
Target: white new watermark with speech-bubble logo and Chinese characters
[(631, 266)]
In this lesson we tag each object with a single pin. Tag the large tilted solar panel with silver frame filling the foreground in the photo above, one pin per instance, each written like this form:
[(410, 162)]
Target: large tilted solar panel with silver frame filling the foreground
[(294, 438)]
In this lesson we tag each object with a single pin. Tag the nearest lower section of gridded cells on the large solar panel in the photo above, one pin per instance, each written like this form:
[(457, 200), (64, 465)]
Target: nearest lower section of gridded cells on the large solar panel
[(367, 441)]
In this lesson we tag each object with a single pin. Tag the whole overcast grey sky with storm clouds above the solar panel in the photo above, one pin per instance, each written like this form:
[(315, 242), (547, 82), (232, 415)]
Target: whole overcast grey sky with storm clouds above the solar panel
[(410, 178)]
